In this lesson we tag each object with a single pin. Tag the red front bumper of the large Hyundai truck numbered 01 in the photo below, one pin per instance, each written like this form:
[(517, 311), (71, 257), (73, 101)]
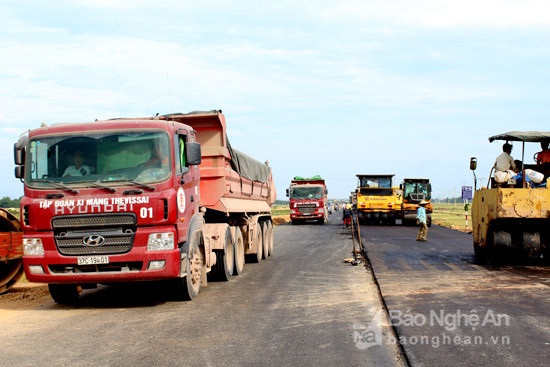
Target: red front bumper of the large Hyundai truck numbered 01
[(131, 266)]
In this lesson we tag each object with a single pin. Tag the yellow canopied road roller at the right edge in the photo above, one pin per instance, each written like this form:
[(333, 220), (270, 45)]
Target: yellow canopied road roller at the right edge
[(511, 214)]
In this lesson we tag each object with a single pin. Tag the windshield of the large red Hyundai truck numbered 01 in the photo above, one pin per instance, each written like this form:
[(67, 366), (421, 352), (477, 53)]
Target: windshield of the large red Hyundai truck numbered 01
[(140, 156)]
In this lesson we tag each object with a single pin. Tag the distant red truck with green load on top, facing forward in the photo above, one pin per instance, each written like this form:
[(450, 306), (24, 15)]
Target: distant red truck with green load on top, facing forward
[(308, 200)]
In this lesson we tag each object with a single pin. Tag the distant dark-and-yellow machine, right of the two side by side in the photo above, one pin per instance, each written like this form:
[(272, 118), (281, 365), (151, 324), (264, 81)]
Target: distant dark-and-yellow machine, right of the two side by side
[(414, 191)]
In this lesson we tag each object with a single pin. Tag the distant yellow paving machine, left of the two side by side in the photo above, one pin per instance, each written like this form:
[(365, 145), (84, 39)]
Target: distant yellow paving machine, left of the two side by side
[(377, 200)]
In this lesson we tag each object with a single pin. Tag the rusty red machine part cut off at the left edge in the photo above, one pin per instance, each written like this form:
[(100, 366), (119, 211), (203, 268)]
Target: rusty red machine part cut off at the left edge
[(11, 250)]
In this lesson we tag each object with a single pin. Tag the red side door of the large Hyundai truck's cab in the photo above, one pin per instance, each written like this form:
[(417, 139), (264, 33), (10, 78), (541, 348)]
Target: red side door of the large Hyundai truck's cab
[(187, 186)]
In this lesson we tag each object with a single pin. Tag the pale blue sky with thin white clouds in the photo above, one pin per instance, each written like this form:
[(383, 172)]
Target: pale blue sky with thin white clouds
[(334, 88)]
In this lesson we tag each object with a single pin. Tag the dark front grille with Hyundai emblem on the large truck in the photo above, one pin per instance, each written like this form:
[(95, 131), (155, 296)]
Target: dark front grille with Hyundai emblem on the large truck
[(117, 232)]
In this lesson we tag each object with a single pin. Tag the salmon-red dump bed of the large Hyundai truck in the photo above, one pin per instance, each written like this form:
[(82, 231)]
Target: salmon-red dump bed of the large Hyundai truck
[(231, 181)]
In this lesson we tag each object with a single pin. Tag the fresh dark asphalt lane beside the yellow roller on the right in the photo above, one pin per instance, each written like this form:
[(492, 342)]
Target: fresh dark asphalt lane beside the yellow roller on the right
[(448, 311)]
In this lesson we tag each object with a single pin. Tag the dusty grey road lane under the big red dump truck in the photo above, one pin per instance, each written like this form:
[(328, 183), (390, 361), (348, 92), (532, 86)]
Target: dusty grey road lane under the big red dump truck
[(303, 306)]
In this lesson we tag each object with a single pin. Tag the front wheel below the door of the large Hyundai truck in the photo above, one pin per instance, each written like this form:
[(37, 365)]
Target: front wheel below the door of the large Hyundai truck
[(188, 287)]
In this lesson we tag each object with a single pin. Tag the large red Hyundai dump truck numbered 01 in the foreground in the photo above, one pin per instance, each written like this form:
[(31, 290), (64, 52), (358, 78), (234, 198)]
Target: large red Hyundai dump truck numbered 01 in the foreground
[(140, 199)]
